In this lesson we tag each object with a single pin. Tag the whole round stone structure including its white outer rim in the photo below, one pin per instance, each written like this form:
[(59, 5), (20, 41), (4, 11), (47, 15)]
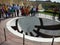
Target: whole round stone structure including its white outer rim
[(35, 28)]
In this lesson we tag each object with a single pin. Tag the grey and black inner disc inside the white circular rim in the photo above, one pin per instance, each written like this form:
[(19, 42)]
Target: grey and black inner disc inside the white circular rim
[(38, 27)]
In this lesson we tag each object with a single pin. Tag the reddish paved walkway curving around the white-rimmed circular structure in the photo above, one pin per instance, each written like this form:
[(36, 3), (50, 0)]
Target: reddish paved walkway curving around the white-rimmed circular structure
[(15, 40)]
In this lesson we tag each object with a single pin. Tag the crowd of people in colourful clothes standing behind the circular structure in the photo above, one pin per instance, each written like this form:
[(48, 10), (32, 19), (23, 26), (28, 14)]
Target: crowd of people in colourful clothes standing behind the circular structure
[(16, 10)]
